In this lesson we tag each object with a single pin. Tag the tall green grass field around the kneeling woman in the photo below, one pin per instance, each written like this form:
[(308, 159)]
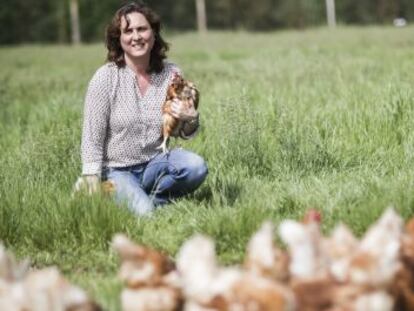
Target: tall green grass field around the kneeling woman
[(291, 120)]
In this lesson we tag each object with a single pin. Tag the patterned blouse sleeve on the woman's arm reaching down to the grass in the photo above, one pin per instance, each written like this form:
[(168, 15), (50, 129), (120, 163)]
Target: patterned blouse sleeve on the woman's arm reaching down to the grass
[(95, 122)]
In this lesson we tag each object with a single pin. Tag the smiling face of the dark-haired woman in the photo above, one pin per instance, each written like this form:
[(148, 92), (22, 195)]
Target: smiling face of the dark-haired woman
[(137, 39)]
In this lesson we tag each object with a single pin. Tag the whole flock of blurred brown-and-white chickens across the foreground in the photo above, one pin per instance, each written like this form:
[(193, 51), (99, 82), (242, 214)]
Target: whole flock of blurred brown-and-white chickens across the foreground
[(337, 273)]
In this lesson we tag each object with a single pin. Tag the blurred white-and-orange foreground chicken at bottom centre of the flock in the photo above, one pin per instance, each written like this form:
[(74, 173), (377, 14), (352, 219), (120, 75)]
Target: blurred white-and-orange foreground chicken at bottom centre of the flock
[(207, 286)]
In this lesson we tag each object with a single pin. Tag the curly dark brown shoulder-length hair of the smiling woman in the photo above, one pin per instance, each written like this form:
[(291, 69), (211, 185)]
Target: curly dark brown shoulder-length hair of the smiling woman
[(113, 34)]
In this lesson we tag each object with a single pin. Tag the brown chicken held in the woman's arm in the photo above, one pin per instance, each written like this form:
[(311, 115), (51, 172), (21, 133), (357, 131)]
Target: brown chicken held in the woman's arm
[(187, 95)]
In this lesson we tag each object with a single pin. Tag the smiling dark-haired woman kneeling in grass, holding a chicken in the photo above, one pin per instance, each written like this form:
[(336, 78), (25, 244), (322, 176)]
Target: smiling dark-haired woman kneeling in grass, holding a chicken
[(123, 118)]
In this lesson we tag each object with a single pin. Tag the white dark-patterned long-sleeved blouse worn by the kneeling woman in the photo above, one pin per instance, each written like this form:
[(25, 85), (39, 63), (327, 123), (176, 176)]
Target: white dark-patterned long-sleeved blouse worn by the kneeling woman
[(121, 127)]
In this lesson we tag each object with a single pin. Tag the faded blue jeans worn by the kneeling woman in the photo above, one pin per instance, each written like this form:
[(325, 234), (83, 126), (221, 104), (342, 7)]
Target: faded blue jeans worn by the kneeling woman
[(167, 176)]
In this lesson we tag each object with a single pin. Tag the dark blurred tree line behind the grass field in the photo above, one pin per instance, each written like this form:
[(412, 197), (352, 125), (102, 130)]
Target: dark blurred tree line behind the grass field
[(50, 20)]
